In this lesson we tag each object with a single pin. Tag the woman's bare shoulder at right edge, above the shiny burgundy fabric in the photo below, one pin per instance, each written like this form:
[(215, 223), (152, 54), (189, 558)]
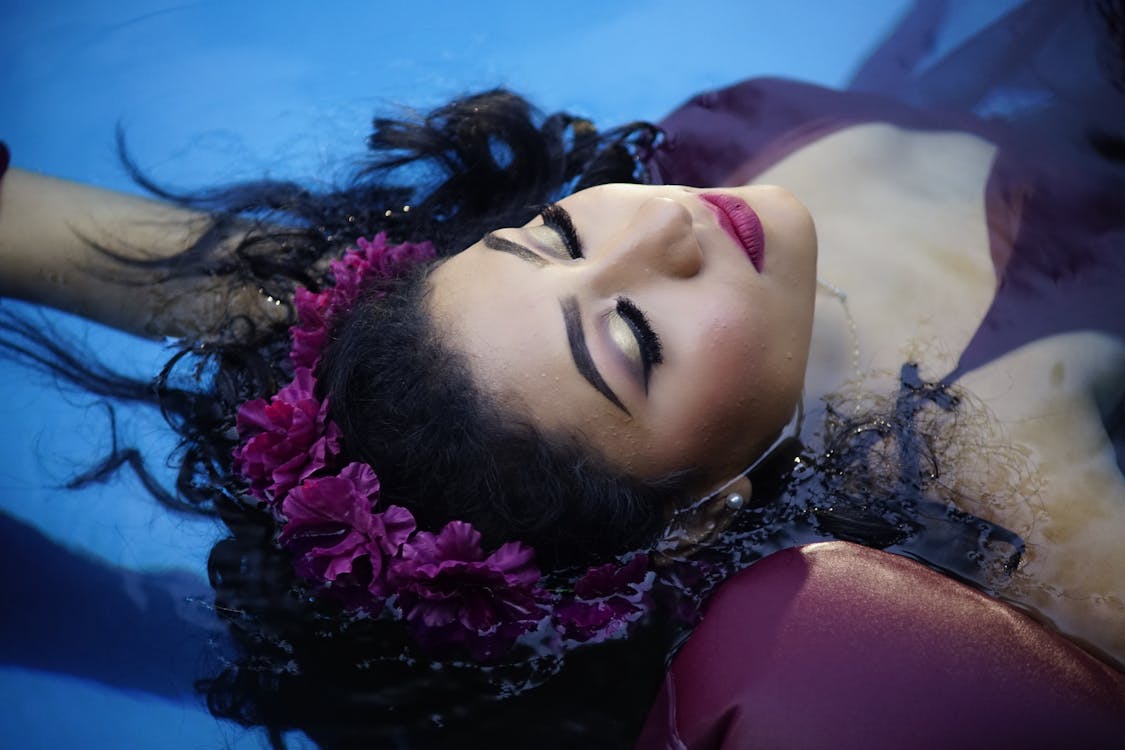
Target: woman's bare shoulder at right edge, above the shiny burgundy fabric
[(1054, 401)]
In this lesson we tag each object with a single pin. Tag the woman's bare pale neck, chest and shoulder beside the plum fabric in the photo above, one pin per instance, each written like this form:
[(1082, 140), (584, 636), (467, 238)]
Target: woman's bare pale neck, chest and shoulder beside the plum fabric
[(1051, 400)]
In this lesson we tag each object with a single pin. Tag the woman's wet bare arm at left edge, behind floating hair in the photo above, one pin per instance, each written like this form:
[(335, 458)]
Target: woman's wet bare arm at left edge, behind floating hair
[(50, 230)]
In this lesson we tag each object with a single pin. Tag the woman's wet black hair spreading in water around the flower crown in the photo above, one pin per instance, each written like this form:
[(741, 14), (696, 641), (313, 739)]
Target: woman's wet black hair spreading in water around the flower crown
[(408, 405)]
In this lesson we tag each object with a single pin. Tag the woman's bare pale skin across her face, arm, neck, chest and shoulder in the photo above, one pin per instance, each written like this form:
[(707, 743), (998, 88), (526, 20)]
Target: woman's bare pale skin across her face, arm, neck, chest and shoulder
[(921, 193)]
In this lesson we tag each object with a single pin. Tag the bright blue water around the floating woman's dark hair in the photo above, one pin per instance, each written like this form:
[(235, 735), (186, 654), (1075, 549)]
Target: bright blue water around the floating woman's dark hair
[(221, 91)]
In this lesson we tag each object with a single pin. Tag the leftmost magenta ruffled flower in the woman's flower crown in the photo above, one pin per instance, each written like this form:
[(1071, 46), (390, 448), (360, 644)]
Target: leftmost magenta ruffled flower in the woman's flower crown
[(286, 440)]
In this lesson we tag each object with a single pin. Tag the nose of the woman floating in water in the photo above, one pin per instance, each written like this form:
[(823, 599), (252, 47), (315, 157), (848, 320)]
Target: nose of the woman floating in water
[(660, 240)]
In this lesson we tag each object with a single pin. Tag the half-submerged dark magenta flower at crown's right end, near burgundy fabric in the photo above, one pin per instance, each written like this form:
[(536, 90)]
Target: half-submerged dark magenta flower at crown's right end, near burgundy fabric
[(606, 601)]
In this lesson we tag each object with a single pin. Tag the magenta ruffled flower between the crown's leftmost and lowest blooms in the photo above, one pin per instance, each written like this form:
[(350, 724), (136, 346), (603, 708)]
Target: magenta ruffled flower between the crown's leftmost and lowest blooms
[(337, 537)]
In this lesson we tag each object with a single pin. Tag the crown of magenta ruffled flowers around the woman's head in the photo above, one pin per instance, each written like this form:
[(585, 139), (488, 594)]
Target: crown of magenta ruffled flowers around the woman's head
[(375, 559)]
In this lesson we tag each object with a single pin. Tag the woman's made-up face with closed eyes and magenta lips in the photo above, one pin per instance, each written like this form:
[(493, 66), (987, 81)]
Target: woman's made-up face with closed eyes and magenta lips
[(670, 333)]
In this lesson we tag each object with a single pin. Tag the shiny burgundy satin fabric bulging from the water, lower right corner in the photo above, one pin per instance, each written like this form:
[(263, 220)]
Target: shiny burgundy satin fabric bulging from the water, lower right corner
[(840, 646)]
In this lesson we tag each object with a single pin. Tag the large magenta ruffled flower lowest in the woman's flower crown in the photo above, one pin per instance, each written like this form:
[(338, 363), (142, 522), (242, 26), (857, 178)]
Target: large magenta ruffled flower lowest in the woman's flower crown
[(452, 594)]
